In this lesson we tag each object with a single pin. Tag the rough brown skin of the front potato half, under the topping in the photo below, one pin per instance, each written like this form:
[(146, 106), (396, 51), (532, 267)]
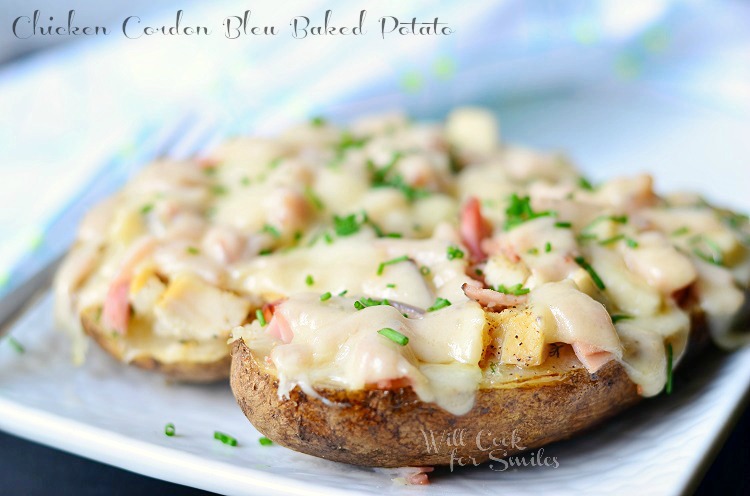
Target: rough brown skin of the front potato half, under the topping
[(381, 428)]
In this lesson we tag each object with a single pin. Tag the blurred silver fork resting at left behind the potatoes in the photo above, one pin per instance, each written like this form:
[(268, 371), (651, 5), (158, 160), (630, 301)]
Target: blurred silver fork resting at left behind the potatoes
[(185, 137)]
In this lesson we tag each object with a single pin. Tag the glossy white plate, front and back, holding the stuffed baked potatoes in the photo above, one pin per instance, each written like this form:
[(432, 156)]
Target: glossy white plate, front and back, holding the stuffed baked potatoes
[(116, 414)]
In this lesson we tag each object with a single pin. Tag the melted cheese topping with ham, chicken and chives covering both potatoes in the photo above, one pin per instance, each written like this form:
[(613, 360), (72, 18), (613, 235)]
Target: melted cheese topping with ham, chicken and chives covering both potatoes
[(392, 253)]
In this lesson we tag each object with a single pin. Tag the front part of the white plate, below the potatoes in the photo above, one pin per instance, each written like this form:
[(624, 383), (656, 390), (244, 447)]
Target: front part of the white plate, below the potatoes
[(117, 414)]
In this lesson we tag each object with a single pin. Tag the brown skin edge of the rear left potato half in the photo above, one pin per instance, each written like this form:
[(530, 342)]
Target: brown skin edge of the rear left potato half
[(195, 372)]
